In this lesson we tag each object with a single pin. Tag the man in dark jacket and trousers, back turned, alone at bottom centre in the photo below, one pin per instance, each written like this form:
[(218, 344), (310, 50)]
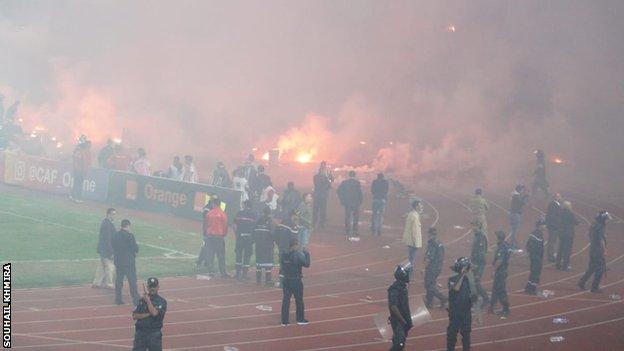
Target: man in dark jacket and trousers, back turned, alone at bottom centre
[(291, 263)]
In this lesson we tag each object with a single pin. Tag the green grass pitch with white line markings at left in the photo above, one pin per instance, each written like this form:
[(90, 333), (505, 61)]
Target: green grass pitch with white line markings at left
[(51, 241)]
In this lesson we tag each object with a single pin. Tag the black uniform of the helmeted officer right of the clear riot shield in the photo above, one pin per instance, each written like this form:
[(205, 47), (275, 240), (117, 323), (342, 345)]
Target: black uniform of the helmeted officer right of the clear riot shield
[(460, 315)]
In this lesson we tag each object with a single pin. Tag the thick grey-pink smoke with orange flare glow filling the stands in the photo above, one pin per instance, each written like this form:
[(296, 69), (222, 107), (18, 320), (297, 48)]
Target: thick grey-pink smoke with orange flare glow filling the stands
[(467, 105)]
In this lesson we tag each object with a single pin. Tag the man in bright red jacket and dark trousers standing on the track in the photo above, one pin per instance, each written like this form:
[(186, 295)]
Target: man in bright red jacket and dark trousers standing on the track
[(215, 231)]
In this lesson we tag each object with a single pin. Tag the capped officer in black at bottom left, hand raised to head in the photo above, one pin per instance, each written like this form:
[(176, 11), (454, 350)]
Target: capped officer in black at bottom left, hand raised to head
[(149, 315)]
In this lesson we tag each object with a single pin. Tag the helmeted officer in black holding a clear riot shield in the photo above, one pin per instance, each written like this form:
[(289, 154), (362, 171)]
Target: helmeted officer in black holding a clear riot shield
[(398, 304)]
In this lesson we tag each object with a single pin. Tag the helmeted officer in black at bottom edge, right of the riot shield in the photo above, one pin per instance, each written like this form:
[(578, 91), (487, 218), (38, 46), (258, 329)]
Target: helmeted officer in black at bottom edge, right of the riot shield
[(461, 295)]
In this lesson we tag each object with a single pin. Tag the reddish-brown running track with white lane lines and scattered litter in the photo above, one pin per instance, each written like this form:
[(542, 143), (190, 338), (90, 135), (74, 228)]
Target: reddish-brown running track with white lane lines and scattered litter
[(344, 288)]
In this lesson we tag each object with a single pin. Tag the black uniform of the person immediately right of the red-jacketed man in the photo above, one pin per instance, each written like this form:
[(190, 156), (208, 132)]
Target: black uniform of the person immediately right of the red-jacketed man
[(245, 223)]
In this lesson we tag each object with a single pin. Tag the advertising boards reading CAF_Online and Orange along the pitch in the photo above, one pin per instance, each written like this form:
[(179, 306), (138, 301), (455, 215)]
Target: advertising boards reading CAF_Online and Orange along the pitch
[(120, 188)]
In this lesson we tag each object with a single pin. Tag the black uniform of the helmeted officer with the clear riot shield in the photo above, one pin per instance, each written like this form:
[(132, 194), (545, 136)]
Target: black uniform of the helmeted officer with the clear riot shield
[(398, 296)]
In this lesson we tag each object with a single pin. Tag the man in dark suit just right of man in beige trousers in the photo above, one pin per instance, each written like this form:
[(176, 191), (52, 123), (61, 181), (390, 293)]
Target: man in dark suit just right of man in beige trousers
[(125, 249)]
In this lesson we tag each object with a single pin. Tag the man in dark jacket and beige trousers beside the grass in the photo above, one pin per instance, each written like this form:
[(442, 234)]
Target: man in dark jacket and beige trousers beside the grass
[(106, 268)]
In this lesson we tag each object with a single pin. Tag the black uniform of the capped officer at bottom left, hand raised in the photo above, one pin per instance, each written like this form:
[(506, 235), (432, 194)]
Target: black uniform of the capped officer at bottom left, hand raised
[(148, 334)]
